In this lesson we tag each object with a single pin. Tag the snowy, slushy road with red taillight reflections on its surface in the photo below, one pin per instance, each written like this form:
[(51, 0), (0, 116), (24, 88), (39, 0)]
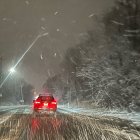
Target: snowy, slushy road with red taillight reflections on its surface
[(18, 122)]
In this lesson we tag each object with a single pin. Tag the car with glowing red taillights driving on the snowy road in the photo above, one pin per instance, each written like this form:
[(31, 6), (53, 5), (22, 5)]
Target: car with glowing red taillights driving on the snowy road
[(44, 104)]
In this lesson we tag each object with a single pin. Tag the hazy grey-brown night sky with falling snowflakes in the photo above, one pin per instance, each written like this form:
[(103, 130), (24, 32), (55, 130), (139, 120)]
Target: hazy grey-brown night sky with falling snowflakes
[(65, 21)]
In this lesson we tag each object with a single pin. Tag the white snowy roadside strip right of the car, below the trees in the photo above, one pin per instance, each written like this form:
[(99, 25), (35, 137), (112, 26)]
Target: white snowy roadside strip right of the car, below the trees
[(133, 116)]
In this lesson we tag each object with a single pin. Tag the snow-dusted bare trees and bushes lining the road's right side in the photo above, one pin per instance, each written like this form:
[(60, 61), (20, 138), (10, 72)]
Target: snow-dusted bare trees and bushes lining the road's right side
[(104, 68)]
